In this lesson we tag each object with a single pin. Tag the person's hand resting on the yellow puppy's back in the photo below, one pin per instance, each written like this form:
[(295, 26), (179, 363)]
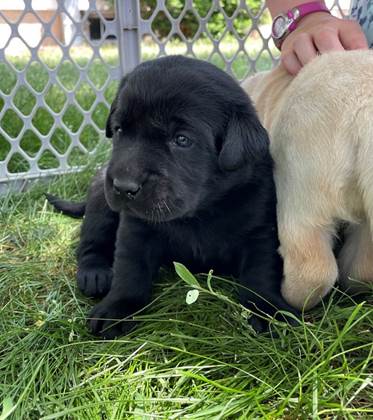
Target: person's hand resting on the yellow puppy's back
[(316, 34)]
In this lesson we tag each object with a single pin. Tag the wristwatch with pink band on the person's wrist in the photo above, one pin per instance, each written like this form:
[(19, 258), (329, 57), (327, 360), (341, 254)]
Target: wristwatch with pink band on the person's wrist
[(285, 23)]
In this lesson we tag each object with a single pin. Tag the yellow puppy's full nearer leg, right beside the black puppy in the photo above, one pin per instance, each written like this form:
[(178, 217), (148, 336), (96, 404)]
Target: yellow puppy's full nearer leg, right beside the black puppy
[(306, 208)]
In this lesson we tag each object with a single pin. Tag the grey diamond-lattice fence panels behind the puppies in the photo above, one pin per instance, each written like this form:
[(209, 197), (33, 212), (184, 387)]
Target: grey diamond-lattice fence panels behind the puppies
[(60, 63)]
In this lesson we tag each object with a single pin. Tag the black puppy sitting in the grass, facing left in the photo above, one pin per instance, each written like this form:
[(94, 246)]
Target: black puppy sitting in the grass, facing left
[(189, 180)]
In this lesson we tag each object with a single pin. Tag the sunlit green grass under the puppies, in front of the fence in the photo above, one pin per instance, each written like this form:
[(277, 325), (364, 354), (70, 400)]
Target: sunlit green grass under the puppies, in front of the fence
[(184, 361)]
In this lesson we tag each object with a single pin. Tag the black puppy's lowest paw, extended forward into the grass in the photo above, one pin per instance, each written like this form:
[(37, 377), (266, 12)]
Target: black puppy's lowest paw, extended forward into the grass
[(107, 319)]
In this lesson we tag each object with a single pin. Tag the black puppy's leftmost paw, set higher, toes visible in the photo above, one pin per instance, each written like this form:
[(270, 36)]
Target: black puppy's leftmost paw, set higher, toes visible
[(94, 281)]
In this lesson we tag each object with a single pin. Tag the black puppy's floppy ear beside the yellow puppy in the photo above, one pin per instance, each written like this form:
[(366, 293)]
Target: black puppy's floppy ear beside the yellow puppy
[(245, 141)]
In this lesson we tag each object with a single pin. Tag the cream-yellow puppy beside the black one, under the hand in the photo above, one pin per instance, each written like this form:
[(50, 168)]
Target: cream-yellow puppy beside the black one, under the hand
[(321, 128)]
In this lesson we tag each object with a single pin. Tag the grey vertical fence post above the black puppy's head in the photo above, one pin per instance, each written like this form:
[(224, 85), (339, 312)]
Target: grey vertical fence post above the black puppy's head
[(129, 40)]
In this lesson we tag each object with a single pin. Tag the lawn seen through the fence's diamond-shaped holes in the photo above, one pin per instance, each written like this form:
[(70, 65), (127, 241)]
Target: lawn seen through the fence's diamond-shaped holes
[(83, 93)]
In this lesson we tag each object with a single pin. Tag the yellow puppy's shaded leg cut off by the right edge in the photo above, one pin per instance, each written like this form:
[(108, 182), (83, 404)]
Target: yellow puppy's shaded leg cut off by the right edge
[(356, 258)]
